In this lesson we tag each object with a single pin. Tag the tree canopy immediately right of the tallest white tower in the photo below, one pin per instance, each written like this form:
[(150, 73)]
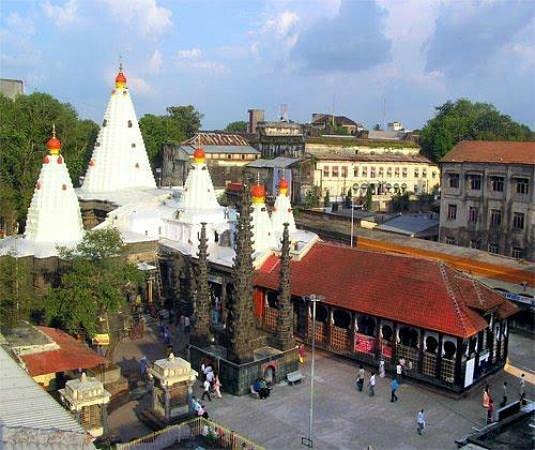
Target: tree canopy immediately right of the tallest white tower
[(180, 123)]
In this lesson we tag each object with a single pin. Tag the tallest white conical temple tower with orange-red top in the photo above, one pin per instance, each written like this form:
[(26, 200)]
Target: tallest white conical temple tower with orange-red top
[(119, 161)]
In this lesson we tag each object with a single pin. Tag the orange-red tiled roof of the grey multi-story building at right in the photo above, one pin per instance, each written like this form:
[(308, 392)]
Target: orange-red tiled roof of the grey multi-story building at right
[(497, 152)]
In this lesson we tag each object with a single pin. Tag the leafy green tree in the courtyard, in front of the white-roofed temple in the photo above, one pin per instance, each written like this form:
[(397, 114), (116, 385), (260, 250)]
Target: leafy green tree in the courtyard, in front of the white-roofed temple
[(94, 283)]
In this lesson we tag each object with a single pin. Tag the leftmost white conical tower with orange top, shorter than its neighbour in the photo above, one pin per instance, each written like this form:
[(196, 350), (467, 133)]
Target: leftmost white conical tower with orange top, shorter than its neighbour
[(54, 213)]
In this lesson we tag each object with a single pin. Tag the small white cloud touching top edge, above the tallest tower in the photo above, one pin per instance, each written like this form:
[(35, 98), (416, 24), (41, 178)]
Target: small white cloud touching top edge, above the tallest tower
[(145, 15)]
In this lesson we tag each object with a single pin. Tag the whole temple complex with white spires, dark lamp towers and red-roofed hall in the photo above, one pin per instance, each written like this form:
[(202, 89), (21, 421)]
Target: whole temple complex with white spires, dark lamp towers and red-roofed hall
[(247, 273)]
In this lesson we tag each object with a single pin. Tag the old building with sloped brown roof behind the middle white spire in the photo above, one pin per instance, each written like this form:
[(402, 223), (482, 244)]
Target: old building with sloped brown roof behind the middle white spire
[(226, 154)]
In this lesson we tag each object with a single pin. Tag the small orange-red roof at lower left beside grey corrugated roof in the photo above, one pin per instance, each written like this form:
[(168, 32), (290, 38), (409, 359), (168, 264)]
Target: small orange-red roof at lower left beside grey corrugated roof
[(70, 356)]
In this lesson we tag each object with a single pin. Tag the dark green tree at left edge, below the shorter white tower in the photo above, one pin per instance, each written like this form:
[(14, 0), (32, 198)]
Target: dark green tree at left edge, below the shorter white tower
[(17, 299)]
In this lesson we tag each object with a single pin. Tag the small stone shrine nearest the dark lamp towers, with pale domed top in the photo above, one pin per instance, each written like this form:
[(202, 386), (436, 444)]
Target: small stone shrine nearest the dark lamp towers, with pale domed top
[(173, 382)]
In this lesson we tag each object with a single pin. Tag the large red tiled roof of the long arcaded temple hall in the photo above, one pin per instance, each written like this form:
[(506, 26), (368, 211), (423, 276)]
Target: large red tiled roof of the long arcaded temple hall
[(414, 291)]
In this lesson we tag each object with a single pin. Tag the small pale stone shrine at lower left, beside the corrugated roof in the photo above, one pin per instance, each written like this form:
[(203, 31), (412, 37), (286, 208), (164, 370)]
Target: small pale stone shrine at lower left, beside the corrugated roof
[(87, 399)]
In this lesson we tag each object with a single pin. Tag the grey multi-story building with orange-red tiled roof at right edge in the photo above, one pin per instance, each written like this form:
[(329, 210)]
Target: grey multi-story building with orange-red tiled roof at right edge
[(488, 197)]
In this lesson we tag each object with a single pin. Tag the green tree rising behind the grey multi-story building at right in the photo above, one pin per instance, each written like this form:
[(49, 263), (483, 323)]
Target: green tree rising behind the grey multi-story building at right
[(464, 120)]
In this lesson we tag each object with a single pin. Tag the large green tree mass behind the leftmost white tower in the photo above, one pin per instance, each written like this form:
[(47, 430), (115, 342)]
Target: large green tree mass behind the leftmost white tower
[(25, 127)]
